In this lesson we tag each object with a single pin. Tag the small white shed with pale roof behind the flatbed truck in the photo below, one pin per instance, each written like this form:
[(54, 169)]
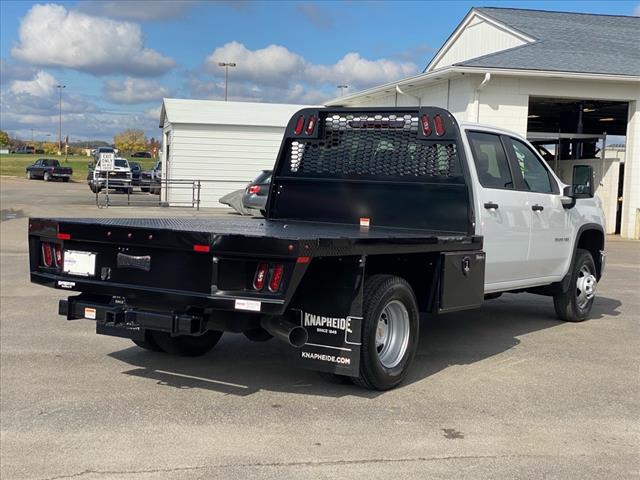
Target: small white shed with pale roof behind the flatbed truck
[(224, 145)]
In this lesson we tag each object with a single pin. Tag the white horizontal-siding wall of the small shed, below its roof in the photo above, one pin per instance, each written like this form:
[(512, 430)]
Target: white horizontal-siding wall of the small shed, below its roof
[(224, 157)]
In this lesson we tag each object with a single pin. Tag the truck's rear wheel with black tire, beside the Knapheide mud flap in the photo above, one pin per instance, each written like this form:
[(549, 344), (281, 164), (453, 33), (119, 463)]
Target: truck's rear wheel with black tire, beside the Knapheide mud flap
[(390, 332)]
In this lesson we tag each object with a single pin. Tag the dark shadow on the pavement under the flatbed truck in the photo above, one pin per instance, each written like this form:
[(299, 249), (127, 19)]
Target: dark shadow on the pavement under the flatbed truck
[(240, 367)]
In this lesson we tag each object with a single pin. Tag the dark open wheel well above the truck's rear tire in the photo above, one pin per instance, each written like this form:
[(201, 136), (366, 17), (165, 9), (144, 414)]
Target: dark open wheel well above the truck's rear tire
[(418, 269)]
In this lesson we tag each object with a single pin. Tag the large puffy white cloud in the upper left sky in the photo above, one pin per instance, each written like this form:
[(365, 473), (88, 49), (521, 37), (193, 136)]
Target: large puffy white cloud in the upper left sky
[(53, 36)]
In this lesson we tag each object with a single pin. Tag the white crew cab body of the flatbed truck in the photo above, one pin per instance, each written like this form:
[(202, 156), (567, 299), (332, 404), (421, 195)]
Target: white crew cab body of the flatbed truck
[(531, 222)]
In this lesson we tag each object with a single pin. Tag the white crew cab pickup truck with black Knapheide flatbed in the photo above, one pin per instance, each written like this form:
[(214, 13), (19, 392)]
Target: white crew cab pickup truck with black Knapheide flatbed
[(373, 216)]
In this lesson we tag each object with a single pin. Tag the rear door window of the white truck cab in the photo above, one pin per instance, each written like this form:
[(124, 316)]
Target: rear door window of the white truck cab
[(490, 160)]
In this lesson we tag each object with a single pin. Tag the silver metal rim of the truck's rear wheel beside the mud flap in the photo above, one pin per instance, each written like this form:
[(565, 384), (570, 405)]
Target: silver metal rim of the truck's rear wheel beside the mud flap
[(392, 333)]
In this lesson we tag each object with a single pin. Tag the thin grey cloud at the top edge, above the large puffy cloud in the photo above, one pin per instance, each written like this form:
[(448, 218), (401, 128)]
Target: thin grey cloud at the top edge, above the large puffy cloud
[(139, 10)]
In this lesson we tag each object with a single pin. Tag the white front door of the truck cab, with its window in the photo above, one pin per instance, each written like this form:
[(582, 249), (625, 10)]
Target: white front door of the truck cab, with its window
[(550, 244)]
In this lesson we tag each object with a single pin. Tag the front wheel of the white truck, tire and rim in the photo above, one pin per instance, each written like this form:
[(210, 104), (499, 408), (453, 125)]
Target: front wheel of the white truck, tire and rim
[(575, 304)]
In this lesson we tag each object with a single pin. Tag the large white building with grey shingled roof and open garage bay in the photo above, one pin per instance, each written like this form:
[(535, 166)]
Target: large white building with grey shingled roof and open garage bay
[(541, 73)]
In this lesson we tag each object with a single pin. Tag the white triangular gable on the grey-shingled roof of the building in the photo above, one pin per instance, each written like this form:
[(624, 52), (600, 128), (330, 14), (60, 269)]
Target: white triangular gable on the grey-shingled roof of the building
[(477, 39)]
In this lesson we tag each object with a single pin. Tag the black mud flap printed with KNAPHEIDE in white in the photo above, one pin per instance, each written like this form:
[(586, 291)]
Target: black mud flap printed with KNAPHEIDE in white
[(328, 304)]
